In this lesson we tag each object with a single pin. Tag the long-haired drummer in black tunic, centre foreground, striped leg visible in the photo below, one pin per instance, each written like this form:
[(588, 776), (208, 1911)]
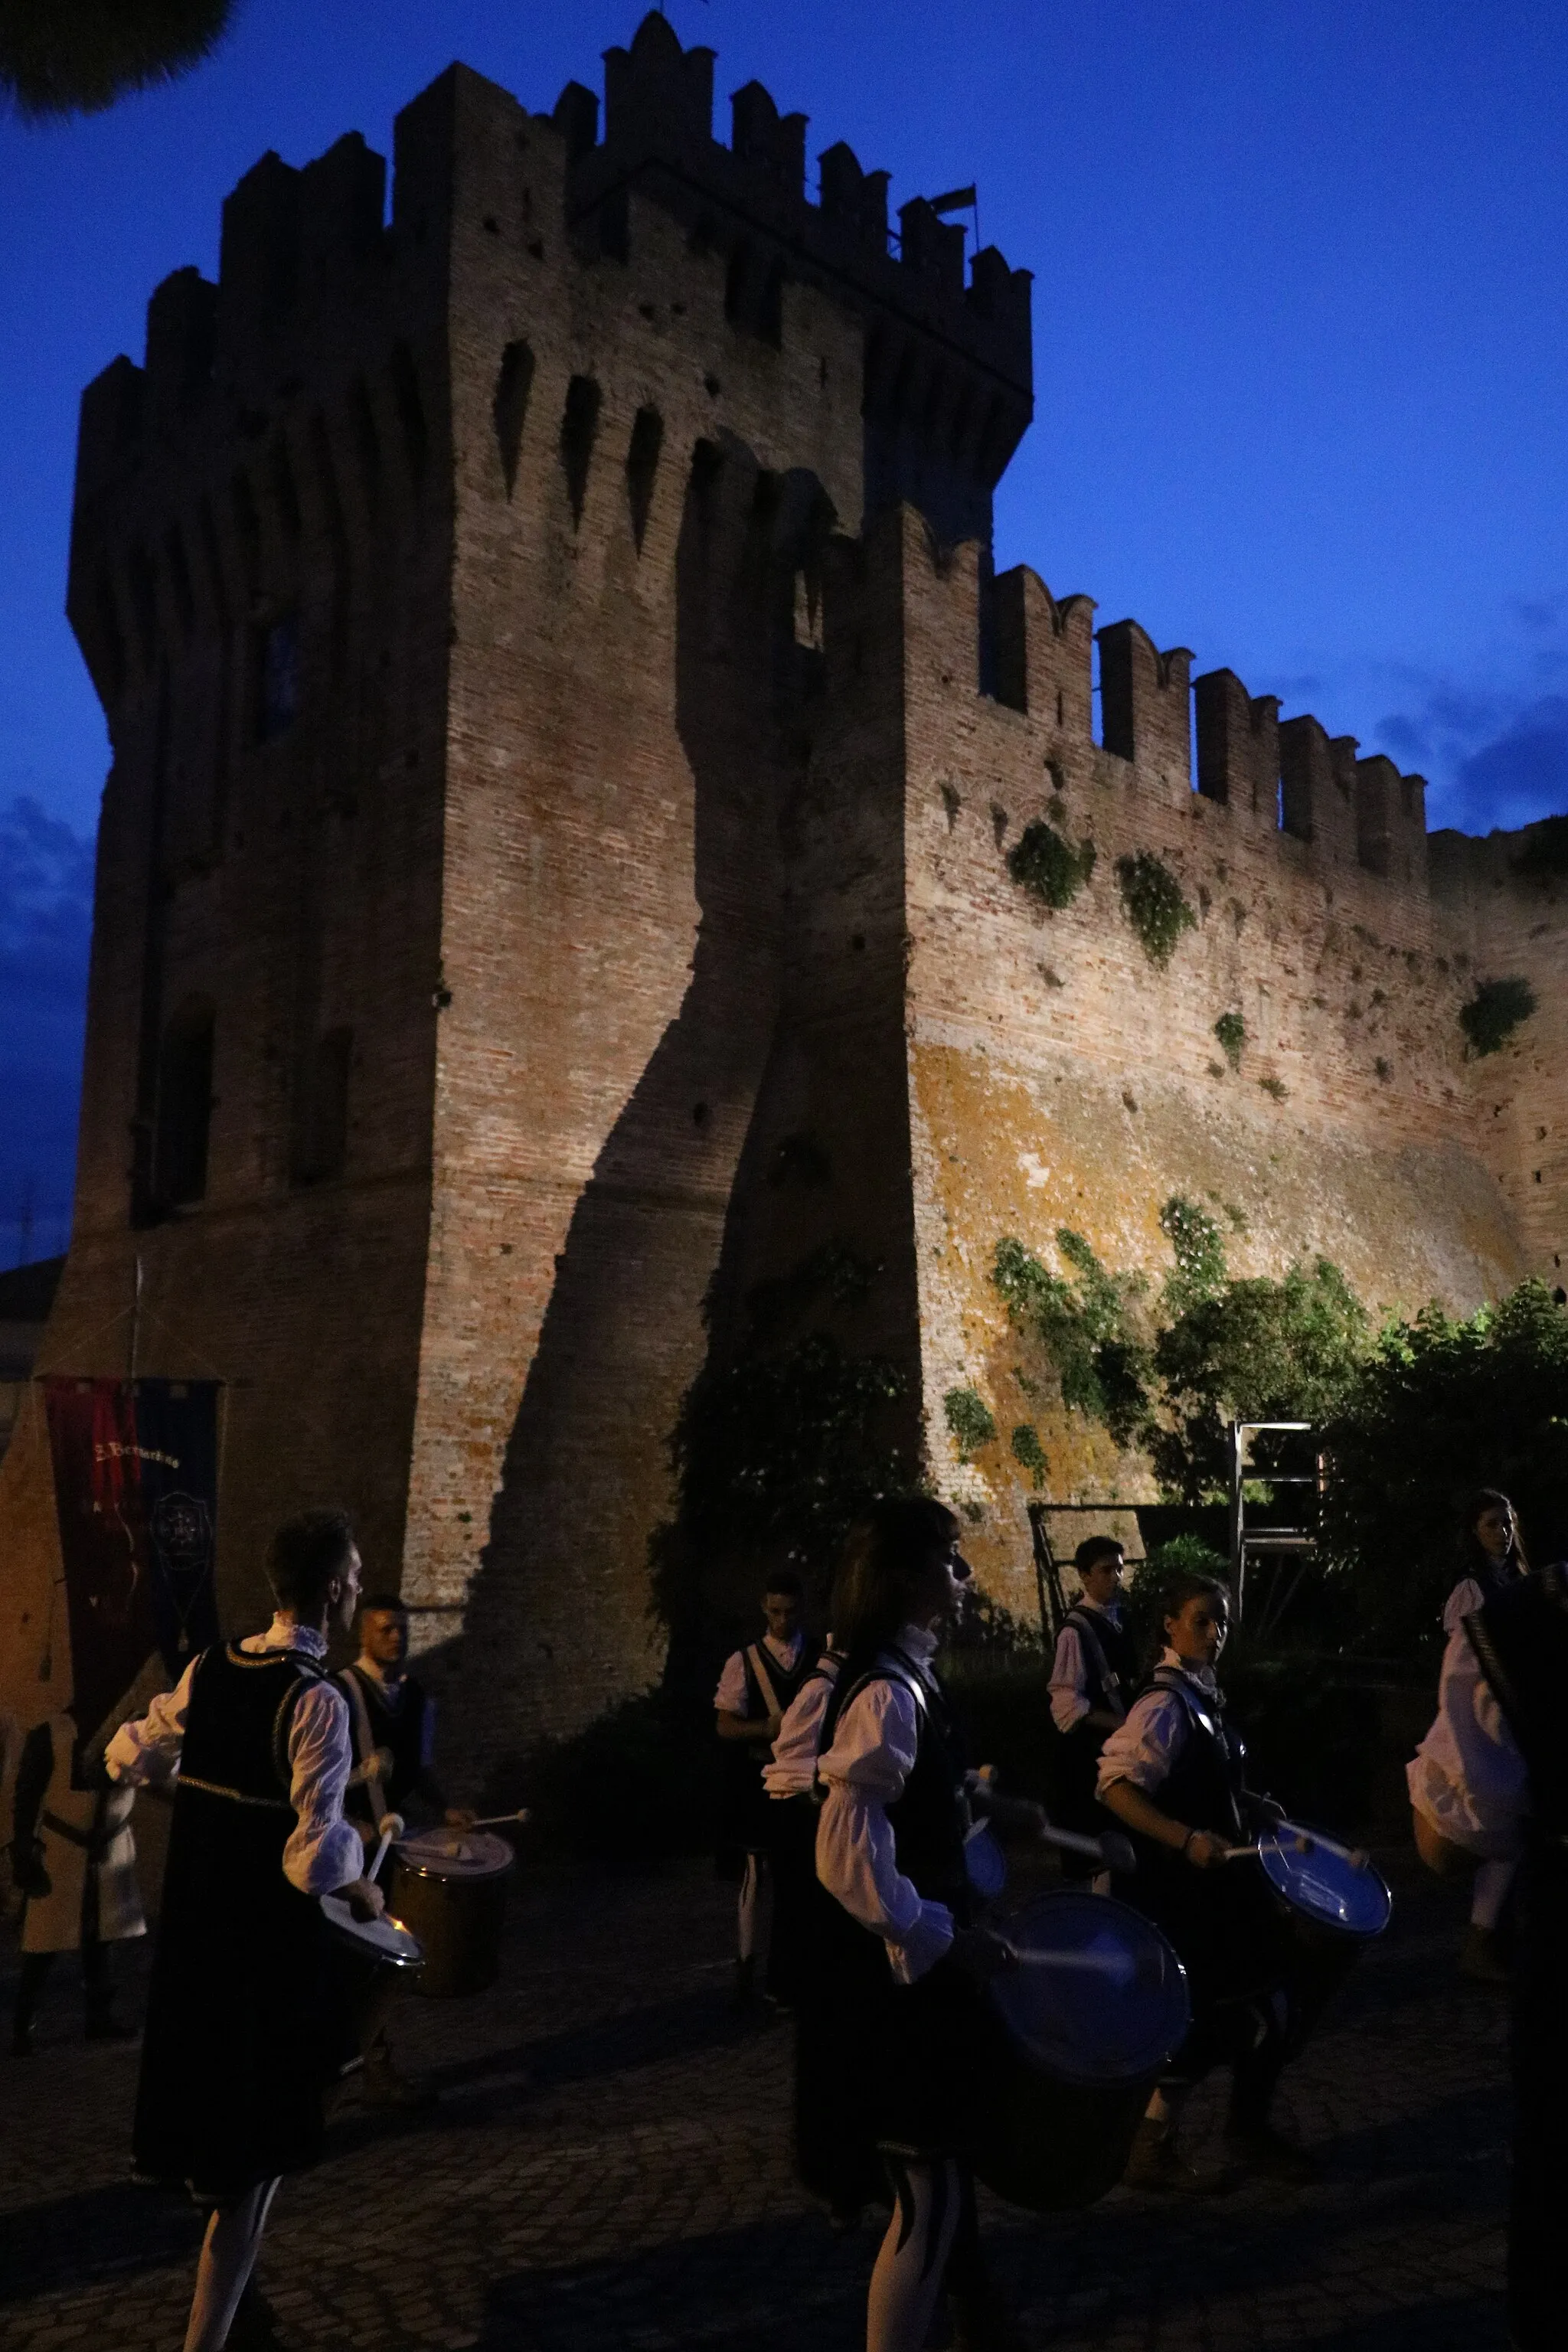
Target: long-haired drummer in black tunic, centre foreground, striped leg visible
[(885, 2073)]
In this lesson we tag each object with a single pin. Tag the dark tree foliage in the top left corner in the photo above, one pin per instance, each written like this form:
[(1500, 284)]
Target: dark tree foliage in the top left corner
[(76, 58)]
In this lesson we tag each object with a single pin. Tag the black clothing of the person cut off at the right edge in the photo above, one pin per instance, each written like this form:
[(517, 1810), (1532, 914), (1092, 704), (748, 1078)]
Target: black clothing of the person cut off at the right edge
[(1522, 1645)]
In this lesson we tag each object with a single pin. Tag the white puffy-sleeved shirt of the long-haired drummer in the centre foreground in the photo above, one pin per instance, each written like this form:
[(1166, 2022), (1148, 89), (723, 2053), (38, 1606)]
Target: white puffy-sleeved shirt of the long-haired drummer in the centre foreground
[(864, 1772)]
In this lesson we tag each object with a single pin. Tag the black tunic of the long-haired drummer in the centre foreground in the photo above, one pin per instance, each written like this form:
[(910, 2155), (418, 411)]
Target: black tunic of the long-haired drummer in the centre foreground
[(885, 2069)]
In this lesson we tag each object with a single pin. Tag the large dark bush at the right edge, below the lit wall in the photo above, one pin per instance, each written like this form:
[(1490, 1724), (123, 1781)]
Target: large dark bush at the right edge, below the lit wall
[(1438, 1410)]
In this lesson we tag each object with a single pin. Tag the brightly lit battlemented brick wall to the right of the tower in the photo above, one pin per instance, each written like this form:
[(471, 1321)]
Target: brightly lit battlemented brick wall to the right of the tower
[(1059, 1078)]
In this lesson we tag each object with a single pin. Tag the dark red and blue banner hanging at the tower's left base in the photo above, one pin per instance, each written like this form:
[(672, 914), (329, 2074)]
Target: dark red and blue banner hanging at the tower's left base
[(138, 1502)]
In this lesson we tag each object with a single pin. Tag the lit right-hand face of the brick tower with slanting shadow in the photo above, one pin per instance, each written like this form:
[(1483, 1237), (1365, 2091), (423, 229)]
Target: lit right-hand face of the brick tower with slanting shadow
[(619, 751)]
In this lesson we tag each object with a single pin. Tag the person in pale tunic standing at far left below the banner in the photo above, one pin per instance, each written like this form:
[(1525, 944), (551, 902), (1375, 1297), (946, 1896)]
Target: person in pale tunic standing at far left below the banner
[(74, 1859)]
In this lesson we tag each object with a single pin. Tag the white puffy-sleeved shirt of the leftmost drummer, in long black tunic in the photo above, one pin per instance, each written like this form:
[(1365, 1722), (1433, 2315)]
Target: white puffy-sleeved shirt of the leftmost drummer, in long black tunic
[(323, 1852)]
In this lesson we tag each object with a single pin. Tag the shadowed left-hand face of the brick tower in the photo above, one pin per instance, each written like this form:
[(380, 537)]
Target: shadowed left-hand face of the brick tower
[(269, 860)]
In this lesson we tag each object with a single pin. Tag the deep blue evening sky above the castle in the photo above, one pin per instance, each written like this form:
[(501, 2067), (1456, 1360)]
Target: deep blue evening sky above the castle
[(1301, 356)]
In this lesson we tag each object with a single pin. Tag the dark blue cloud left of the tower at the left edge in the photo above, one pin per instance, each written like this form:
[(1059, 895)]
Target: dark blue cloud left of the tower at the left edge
[(46, 930)]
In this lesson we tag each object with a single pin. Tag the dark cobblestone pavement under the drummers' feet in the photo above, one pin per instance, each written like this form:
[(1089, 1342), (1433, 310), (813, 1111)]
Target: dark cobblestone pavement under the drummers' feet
[(610, 2172)]
